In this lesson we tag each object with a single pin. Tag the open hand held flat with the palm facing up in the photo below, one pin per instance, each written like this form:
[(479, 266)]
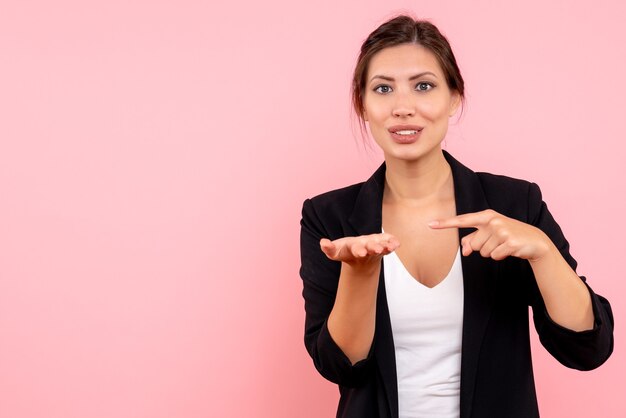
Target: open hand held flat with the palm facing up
[(360, 250)]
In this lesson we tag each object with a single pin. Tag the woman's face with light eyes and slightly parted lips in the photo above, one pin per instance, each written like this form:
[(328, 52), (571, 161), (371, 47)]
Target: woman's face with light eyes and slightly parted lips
[(408, 102)]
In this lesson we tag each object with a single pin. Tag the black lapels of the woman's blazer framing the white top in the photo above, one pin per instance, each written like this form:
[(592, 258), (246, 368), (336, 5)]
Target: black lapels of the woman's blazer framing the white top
[(478, 276)]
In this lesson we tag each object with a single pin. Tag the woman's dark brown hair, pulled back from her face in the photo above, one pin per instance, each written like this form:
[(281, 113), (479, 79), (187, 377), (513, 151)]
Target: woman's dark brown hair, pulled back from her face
[(401, 30)]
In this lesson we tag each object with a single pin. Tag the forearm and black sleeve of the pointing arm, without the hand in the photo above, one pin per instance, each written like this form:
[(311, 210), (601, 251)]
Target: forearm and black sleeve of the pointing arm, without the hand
[(561, 301)]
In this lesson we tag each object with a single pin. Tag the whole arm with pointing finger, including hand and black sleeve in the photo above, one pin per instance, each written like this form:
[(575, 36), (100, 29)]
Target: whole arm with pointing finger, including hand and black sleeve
[(574, 324)]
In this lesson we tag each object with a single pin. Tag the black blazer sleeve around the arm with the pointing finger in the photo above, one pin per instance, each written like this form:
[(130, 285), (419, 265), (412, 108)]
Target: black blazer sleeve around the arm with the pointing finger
[(584, 350)]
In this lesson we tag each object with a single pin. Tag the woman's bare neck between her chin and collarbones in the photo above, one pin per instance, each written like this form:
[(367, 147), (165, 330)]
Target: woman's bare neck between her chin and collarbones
[(418, 181)]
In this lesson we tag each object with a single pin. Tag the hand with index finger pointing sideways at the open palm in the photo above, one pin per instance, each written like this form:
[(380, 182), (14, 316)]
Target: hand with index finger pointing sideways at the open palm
[(498, 236)]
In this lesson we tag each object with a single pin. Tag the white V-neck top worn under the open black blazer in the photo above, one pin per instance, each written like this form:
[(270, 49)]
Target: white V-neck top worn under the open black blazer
[(427, 329)]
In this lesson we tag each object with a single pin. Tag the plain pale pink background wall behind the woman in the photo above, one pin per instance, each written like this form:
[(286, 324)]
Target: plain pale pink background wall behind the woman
[(154, 156)]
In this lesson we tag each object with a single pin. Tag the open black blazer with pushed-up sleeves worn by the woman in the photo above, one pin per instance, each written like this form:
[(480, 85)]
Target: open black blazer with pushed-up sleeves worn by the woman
[(496, 370)]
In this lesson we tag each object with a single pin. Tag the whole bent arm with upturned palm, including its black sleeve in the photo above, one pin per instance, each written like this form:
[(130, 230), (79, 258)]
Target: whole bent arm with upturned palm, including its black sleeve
[(339, 301)]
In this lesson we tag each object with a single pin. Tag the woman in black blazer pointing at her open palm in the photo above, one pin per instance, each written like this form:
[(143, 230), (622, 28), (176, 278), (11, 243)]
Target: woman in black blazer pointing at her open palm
[(417, 281)]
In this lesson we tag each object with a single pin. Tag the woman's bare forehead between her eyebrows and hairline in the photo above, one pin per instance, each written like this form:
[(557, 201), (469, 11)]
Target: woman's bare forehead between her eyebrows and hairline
[(403, 60)]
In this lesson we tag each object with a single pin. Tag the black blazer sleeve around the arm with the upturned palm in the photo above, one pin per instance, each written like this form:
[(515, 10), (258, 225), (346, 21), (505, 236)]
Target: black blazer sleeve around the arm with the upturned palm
[(320, 277)]
